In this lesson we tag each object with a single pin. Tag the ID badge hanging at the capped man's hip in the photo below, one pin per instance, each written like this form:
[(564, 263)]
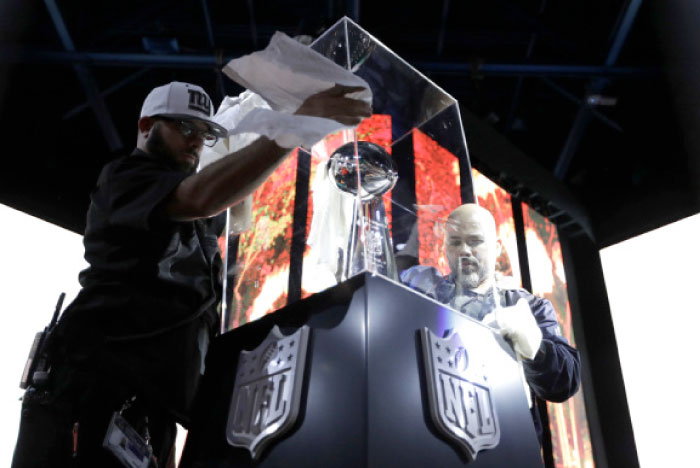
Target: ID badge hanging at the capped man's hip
[(126, 444)]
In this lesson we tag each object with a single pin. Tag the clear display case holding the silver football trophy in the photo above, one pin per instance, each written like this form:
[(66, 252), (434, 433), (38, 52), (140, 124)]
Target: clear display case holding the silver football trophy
[(312, 226)]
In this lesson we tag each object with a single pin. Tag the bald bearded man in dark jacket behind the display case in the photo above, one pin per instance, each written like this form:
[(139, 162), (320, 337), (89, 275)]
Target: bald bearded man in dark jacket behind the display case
[(551, 366)]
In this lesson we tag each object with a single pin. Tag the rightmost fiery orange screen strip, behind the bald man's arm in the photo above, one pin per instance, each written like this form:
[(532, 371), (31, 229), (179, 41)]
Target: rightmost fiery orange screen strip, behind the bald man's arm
[(571, 440)]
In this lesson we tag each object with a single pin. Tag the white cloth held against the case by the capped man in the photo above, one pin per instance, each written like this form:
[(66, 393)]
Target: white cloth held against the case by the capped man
[(285, 74)]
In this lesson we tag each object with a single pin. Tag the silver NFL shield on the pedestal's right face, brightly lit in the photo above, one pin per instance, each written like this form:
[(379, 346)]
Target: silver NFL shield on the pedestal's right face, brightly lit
[(459, 394)]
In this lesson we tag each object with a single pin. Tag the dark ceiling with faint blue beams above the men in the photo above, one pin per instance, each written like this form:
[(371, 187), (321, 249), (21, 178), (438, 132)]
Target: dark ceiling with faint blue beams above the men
[(582, 87)]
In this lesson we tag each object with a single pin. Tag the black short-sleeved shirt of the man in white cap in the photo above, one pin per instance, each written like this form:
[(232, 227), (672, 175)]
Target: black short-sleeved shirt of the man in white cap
[(152, 285)]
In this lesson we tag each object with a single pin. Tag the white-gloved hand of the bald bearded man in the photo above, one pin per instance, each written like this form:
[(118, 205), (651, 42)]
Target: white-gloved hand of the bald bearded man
[(519, 325)]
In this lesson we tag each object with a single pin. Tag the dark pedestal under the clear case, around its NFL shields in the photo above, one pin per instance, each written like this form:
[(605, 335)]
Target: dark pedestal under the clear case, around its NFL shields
[(365, 395)]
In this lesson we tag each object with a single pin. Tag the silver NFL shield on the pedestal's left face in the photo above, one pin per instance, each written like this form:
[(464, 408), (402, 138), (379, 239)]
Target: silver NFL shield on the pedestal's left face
[(267, 390)]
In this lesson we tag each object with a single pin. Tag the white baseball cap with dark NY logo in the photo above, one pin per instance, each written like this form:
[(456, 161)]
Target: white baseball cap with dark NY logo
[(179, 100)]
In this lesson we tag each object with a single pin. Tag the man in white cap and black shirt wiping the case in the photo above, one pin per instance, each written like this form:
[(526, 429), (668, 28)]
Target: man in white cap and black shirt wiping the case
[(127, 354)]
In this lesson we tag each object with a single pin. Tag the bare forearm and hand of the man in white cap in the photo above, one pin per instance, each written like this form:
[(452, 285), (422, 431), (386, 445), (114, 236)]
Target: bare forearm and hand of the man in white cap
[(229, 180)]
